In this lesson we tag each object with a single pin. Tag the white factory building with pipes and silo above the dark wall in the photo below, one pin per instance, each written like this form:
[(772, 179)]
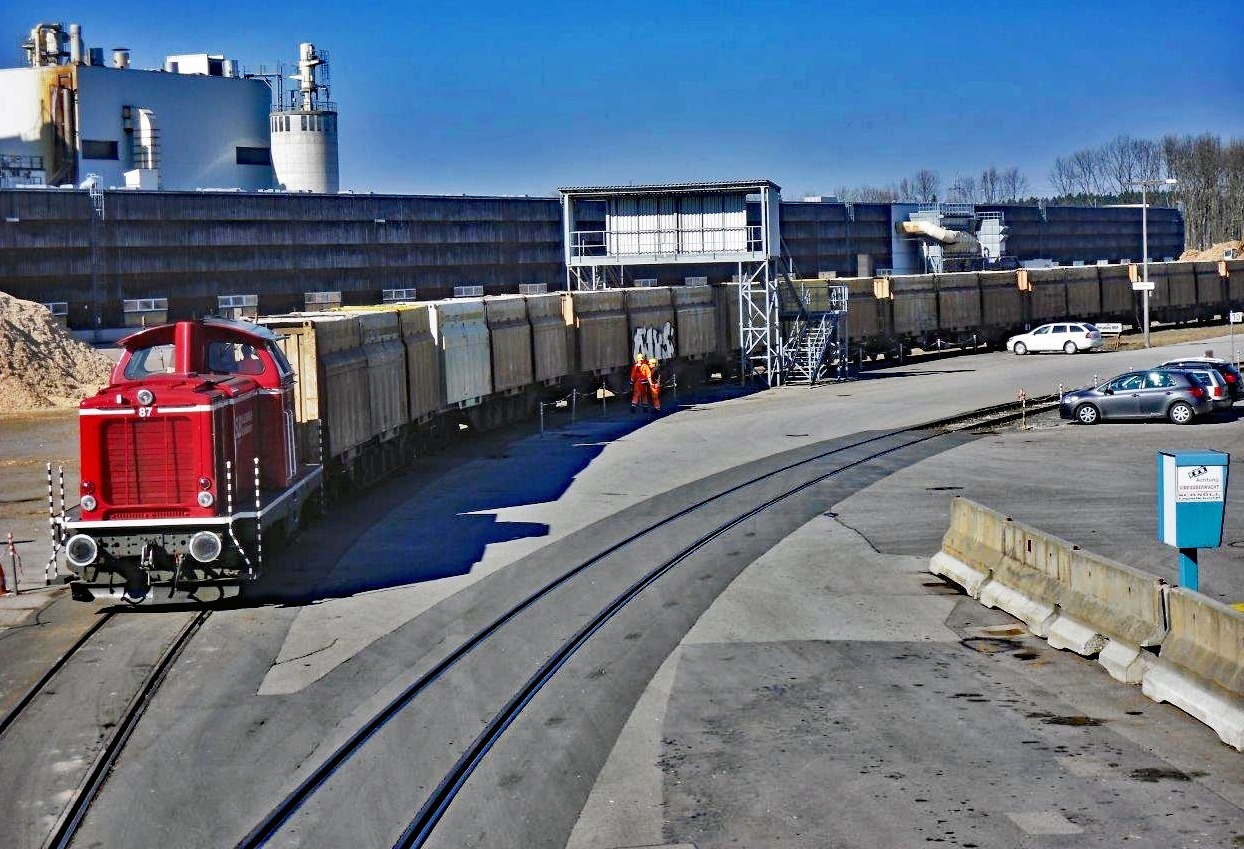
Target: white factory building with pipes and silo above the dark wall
[(70, 119)]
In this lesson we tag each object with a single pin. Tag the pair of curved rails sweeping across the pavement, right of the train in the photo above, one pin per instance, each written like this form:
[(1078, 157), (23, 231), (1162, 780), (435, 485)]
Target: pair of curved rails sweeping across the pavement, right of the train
[(431, 812)]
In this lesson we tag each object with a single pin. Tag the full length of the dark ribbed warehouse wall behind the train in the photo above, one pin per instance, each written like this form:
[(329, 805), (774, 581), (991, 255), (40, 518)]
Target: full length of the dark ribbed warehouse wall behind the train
[(192, 246)]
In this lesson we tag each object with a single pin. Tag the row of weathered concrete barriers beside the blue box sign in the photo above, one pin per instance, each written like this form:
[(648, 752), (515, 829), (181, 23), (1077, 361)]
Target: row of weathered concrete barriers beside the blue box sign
[(1095, 606)]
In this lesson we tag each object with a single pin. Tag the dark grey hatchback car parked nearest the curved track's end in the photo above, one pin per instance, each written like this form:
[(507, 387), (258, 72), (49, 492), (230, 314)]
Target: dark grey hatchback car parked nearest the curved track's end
[(1154, 394)]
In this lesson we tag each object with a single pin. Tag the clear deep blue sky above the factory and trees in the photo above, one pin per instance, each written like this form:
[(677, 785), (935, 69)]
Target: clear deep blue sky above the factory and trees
[(522, 98)]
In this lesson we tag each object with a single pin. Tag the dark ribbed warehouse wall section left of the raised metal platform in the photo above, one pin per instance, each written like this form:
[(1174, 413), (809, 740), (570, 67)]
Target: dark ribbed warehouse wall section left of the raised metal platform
[(191, 247)]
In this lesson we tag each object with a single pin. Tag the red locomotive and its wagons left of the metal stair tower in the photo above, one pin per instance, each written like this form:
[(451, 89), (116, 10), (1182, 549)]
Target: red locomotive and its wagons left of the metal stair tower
[(217, 436)]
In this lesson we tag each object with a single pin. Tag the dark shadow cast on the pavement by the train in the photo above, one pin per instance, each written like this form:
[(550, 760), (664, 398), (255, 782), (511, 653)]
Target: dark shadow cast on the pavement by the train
[(437, 520)]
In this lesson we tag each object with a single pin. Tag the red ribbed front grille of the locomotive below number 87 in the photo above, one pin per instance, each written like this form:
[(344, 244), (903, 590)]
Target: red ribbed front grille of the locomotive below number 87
[(149, 461)]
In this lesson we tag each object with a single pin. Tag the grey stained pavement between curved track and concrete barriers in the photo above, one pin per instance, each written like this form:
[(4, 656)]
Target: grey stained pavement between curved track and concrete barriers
[(837, 697)]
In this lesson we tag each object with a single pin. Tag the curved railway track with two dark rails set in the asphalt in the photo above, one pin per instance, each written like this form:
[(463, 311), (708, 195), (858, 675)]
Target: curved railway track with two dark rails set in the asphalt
[(430, 814)]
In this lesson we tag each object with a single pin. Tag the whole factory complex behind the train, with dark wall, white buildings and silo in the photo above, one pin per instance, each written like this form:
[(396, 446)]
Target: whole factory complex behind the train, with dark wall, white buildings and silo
[(205, 190)]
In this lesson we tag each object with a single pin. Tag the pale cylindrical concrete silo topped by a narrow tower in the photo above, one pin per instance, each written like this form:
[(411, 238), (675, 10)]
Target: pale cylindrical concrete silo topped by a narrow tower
[(305, 130)]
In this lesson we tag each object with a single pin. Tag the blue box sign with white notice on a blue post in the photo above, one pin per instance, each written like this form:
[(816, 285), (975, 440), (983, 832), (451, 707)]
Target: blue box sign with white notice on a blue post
[(1192, 499)]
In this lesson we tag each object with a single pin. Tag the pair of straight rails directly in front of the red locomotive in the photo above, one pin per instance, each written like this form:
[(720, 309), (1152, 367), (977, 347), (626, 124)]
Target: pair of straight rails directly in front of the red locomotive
[(89, 787)]
